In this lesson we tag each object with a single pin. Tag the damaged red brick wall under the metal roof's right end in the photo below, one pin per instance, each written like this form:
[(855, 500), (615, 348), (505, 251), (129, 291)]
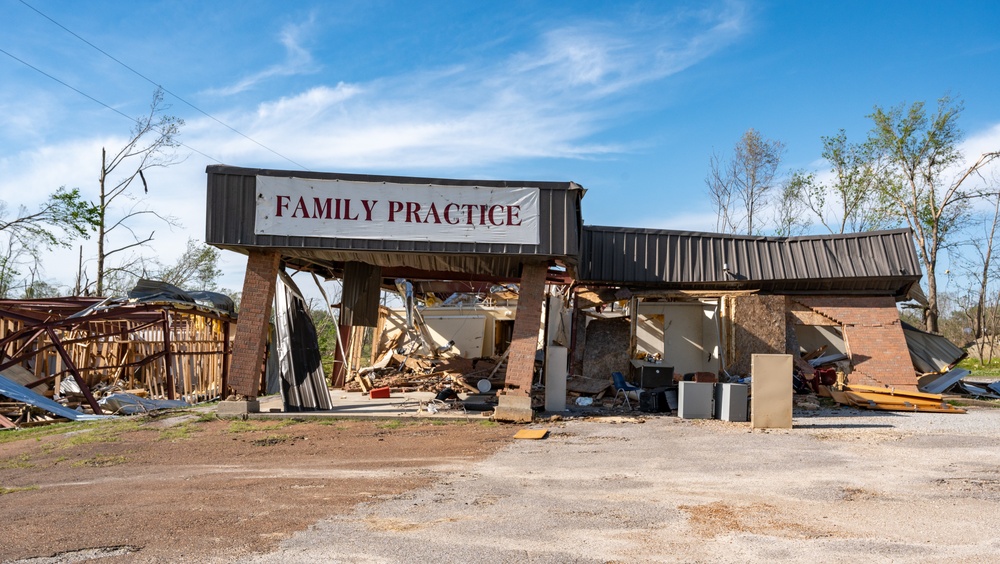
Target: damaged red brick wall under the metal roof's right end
[(874, 338)]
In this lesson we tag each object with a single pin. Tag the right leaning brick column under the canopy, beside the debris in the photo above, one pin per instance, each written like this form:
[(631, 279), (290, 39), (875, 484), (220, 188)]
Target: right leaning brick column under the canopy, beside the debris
[(524, 341)]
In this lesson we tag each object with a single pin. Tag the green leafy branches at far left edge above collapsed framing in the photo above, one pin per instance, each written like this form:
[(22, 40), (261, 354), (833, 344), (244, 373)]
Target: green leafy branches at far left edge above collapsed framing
[(26, 235)]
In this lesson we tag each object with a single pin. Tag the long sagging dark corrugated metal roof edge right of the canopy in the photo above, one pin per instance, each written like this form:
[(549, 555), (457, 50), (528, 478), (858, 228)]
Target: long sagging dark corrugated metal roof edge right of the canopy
[(874, 261)]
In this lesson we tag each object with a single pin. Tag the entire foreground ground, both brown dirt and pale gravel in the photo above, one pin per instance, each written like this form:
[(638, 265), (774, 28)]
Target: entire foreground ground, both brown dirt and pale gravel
[(843, 485)]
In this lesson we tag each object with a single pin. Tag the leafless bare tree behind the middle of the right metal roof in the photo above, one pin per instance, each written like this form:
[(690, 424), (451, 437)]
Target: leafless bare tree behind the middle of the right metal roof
[(740, 187)]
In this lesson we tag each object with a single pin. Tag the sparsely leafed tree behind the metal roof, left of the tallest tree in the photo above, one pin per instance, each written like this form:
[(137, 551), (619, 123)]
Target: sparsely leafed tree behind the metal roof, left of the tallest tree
[(853, 198)]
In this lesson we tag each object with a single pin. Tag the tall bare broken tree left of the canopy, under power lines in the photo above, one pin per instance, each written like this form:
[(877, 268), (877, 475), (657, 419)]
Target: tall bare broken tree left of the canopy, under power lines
[(149, 146)]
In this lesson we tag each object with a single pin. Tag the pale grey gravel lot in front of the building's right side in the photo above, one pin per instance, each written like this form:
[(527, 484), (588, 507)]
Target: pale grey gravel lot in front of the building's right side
[(842, 486)]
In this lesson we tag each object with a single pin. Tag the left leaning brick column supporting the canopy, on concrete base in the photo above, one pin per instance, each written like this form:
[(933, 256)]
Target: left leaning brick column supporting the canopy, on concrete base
[(252, 323)]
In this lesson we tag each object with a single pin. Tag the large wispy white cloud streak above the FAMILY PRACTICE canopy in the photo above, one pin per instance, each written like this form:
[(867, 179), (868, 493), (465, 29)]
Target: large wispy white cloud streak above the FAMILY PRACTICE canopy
[(545, 101)]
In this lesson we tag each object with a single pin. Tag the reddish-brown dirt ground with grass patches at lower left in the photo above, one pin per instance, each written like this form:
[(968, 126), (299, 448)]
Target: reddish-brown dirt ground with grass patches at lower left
[(194, 488)]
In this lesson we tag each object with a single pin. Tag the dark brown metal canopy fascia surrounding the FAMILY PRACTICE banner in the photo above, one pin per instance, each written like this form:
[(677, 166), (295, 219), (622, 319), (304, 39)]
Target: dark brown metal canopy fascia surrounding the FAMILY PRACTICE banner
[(231, 207)]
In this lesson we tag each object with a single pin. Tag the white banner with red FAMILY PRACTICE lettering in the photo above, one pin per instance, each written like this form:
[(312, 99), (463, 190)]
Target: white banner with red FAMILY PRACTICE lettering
[(408, 212)]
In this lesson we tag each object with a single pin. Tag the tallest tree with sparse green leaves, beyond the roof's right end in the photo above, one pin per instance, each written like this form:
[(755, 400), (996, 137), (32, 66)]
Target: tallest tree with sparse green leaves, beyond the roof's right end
[(923, 151)]
